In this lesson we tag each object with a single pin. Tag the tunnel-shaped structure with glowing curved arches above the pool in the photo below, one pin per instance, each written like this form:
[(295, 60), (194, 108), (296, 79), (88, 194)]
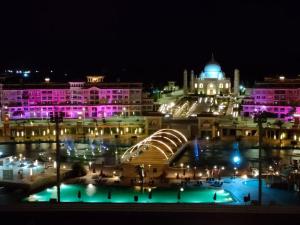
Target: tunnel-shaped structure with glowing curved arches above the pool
[(158, 148)]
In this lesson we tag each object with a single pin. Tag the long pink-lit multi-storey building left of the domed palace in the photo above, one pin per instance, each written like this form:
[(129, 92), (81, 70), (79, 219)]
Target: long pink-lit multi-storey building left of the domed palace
[(91, 99)]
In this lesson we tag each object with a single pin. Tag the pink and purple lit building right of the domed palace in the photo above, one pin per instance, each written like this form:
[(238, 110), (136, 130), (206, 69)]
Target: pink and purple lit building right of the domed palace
[(280, 96)]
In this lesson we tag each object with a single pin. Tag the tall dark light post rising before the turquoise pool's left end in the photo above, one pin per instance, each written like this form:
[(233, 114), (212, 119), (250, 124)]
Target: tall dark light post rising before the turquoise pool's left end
[(57, 118)]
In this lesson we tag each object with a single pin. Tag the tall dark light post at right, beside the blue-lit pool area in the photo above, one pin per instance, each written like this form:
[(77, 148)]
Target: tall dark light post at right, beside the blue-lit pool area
[(260, 118)]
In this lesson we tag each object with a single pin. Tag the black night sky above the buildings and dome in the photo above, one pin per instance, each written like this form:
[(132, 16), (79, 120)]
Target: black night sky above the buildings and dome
[(151, 40)]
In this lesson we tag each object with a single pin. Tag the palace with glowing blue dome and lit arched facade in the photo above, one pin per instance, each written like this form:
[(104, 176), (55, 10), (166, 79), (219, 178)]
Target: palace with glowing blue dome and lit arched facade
[(211, 81)]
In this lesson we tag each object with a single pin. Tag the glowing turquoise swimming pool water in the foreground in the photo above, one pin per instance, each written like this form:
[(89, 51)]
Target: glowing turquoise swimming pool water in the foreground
[(99, 194)]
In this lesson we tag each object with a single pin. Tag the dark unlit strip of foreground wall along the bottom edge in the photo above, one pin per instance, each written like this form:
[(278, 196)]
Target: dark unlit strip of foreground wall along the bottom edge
[(141, 214)]
